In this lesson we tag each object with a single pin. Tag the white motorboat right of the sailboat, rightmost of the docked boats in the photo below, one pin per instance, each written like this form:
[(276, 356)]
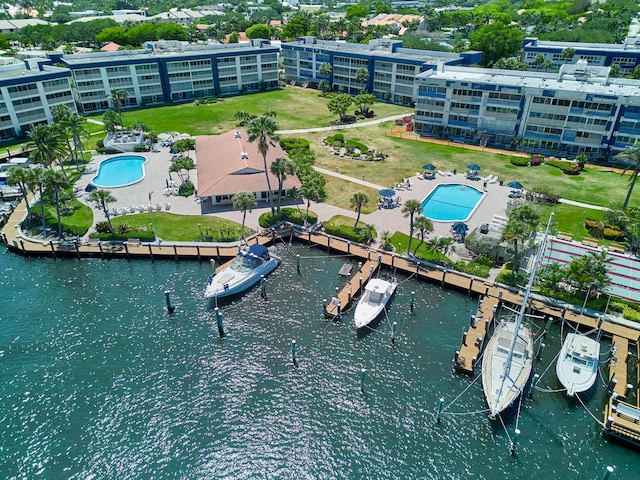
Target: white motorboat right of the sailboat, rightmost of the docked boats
[(577, 365)]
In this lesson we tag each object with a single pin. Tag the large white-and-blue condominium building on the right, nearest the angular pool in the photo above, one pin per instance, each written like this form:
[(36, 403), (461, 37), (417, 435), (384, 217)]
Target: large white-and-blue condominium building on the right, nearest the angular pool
[(579, 110)]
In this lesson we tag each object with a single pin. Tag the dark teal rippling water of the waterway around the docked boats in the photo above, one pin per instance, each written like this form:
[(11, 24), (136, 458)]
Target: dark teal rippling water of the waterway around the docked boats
[(98, 381)]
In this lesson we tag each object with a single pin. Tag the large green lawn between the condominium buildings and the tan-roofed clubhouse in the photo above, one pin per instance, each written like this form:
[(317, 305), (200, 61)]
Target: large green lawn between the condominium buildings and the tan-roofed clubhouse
[(295, 108)]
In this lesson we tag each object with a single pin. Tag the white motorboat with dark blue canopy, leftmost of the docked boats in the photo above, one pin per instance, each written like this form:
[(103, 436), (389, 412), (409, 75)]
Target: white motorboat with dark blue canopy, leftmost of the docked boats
[(245, 271)]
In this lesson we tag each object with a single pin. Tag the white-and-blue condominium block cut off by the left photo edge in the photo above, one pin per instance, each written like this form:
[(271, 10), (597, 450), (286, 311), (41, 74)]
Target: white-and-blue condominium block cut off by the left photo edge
[(29, 91)]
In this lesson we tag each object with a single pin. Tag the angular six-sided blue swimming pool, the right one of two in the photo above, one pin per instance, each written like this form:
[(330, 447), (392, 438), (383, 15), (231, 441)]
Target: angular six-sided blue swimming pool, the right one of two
[(449, 203)]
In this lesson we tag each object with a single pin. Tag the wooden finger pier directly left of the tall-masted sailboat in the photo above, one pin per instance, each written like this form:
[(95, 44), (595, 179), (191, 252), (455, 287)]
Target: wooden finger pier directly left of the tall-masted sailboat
[(474, 338)]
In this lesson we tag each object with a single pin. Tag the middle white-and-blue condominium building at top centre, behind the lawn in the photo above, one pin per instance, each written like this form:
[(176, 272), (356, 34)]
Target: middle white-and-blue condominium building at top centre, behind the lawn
[(391, 69)]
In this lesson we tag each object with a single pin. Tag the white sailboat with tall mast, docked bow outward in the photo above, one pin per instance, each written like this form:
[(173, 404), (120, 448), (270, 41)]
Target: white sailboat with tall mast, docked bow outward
[(508, 358)]
